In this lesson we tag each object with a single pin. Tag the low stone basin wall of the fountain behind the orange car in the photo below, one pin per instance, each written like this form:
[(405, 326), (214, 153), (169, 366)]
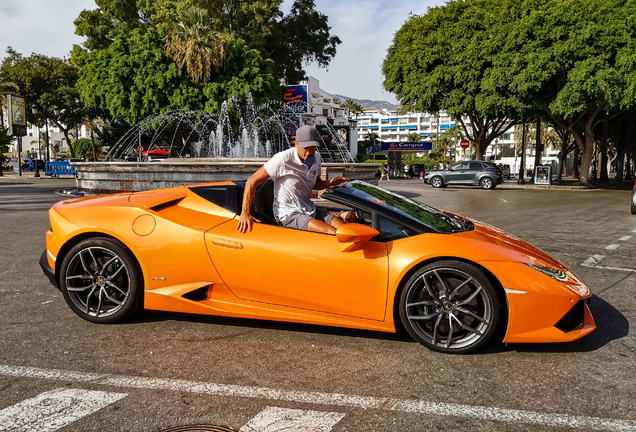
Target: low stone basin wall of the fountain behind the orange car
[(110, 177)]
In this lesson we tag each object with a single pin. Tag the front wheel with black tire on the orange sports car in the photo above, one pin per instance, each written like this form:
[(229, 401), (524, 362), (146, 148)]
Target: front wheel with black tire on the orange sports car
[(450, 307)]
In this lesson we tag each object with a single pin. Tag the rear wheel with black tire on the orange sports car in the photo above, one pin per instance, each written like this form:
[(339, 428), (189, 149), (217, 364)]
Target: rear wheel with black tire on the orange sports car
[(101, 280)]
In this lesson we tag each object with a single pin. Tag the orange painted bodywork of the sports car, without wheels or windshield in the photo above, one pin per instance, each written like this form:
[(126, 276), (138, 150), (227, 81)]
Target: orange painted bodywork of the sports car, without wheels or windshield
[(184, 242)]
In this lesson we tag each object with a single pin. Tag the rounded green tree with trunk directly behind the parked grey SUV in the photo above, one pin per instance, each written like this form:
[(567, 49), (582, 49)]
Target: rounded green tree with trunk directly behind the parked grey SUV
[(444, 60)]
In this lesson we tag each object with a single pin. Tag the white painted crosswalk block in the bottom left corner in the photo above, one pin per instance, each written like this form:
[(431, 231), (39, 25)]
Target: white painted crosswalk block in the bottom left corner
[(54, 409)]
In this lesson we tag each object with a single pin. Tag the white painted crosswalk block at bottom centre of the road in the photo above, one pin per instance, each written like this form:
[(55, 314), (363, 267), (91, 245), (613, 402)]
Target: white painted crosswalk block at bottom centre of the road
[(274, 419)]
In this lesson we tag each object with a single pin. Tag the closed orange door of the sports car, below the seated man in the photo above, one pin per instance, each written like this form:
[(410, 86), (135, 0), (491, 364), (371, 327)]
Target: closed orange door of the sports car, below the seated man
[(301, 269)]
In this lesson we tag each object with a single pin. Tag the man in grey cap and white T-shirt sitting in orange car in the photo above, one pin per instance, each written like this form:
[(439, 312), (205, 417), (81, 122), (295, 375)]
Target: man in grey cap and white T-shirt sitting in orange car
[(296, 172)]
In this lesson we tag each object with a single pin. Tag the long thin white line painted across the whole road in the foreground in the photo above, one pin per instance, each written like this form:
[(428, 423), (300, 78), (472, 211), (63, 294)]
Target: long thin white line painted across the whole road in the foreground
[(366, 402)]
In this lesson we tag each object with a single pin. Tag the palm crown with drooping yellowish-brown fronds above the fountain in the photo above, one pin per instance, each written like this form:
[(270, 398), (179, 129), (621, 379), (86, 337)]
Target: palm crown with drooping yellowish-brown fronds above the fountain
[(195, 46)]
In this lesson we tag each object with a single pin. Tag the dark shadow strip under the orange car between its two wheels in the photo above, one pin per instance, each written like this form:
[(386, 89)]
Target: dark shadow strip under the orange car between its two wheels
[(156, 316)]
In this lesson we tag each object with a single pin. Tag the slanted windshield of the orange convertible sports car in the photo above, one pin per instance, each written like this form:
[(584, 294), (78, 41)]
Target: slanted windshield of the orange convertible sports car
[(419, 212)]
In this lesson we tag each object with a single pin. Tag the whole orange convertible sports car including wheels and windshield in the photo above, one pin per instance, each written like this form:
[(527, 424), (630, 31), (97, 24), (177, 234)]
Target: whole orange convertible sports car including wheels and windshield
[(452, 282)]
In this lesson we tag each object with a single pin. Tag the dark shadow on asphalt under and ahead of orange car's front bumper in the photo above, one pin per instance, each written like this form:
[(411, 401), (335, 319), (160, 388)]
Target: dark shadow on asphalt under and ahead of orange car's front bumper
[(610, 325)]
